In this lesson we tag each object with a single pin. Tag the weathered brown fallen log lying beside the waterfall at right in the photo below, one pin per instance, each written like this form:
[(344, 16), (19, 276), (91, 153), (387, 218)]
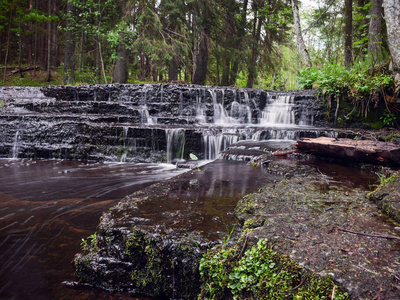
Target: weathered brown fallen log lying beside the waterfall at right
[(355, 150)]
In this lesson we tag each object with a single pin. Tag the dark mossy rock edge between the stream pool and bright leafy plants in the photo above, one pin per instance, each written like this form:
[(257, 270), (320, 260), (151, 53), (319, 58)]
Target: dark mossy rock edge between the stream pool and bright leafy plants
[(127, 255)]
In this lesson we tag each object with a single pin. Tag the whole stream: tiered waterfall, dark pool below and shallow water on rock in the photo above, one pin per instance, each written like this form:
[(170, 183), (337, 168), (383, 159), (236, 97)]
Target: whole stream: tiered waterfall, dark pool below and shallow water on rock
[(47, 206)]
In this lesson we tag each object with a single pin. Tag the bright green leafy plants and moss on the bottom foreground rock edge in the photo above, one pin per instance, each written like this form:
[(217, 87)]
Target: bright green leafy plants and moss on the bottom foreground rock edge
[(261, 273)]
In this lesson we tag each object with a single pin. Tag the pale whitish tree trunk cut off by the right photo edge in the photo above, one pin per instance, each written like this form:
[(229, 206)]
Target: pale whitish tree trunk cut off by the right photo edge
[(392, 18)]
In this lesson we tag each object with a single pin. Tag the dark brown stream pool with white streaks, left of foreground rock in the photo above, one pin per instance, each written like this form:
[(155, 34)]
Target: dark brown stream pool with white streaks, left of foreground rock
[(46, 208)]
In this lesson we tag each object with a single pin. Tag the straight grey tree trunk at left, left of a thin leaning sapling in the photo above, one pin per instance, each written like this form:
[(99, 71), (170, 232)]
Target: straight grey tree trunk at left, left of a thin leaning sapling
[(69, 51)]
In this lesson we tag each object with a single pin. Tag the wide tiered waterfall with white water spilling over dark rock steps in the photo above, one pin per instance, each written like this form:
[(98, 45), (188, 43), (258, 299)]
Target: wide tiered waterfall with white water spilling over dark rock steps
[(102, 122)]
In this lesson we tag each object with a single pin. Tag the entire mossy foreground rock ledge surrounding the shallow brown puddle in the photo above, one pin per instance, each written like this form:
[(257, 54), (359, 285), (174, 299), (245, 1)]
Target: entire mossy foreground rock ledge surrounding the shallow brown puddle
[(303, 236)]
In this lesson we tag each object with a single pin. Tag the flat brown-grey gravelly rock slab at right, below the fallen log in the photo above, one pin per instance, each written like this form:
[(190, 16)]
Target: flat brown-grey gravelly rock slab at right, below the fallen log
[(306, 217)]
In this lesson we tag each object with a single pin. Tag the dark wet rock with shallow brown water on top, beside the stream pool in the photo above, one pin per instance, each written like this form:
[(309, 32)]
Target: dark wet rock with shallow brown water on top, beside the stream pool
[(152, 241)]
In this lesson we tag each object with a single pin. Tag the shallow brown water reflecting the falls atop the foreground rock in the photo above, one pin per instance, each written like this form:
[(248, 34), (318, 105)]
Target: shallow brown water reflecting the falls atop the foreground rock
[(204, 200)]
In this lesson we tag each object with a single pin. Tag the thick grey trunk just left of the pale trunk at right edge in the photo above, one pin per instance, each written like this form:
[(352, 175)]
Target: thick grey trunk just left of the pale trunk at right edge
[(374, 33)]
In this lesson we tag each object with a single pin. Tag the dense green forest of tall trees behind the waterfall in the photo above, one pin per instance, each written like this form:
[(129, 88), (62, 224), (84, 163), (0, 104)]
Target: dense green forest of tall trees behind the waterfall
[(335, 45)]
